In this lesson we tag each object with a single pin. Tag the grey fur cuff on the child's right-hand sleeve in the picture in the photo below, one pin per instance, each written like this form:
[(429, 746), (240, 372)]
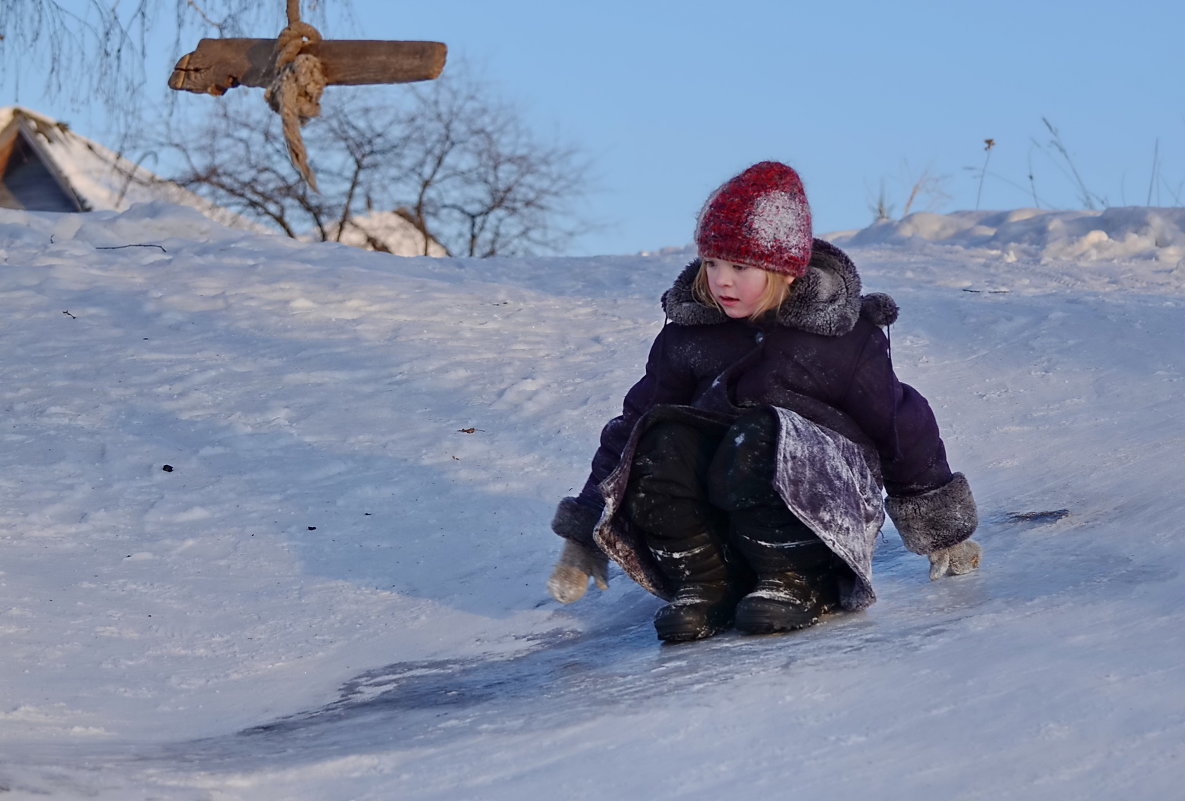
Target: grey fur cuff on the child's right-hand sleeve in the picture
[(936, 520)]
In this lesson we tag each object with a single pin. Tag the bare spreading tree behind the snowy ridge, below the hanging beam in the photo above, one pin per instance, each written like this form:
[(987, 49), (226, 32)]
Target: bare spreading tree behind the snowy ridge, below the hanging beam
[(447, 157)]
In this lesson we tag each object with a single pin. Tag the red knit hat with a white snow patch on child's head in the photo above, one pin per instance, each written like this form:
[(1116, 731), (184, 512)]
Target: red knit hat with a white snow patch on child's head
[(760, 219)]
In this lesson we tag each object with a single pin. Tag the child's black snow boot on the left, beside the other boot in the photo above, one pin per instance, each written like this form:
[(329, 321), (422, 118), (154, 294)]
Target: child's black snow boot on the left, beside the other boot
[(706, 599)]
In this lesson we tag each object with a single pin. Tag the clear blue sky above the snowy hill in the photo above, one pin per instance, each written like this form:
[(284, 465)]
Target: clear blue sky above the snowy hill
[(672, 98)]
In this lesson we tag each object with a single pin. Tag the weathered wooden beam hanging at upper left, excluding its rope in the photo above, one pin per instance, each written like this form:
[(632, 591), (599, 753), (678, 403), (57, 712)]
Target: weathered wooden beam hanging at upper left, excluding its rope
[(220, 65)]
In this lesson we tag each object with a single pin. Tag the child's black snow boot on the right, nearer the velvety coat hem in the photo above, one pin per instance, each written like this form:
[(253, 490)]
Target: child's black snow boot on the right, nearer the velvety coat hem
[(796, 578)]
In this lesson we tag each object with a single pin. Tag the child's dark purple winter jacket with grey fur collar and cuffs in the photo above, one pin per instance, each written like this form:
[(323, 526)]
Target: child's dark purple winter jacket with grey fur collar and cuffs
[(821, 355)]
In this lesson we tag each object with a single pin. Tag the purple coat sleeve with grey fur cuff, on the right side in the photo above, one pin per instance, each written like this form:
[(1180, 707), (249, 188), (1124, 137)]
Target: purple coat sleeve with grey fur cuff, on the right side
[(931, 507)]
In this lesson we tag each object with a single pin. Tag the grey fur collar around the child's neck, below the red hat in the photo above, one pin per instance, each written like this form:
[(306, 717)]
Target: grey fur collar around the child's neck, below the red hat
[(825, 302)]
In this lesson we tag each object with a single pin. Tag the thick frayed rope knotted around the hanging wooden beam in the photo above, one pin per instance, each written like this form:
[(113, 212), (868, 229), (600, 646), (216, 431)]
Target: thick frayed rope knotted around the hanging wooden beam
[(296, 93)]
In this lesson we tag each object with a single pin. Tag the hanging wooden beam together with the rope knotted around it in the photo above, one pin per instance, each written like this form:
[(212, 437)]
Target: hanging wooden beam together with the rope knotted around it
[(297, 67)]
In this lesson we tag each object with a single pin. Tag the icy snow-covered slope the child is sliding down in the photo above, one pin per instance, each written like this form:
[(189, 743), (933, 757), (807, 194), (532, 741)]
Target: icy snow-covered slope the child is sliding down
[(337, 591)]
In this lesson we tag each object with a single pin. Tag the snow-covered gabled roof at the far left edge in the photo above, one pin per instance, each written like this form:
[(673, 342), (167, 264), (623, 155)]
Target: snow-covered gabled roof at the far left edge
[(46, 166)]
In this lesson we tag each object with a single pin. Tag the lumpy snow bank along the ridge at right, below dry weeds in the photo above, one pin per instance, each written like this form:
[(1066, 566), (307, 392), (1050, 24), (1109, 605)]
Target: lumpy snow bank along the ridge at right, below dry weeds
[(1128, 233)]
